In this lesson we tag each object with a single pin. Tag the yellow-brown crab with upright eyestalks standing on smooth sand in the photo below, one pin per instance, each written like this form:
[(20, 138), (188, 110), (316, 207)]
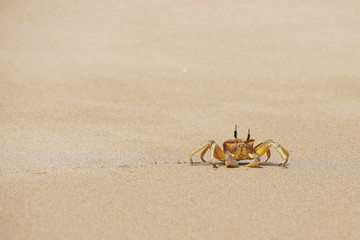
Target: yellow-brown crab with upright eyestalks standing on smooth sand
[(237, 149)]
